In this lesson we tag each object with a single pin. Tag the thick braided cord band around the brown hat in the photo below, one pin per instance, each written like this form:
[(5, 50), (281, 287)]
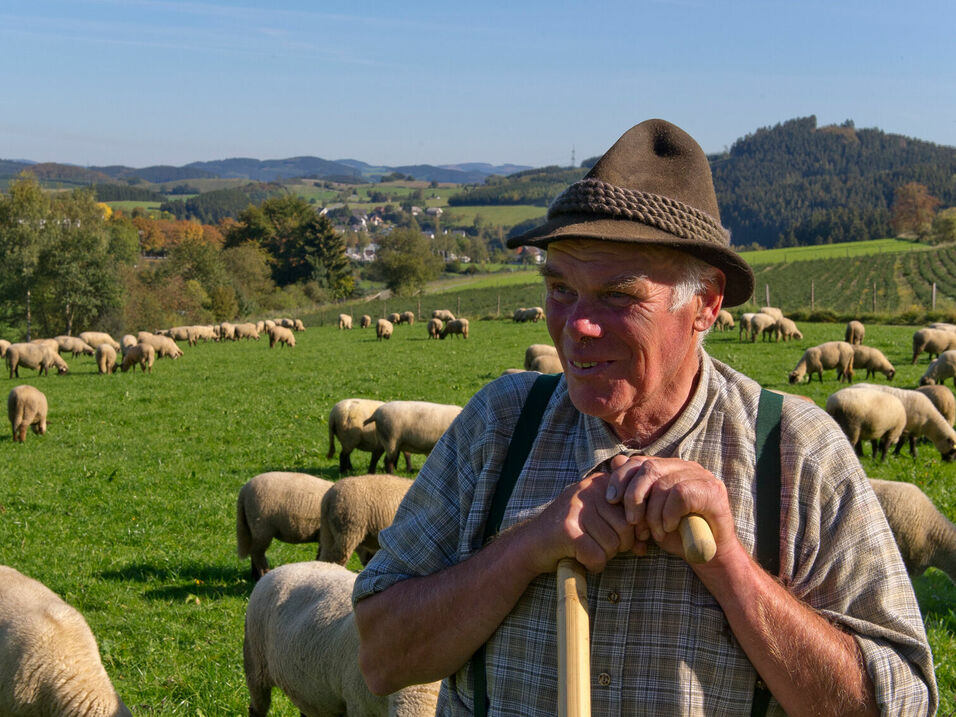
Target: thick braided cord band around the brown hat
[(599, 198)]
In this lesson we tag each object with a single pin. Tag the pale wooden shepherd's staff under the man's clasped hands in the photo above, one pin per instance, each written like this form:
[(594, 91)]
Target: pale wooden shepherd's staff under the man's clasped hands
[(574, 668)]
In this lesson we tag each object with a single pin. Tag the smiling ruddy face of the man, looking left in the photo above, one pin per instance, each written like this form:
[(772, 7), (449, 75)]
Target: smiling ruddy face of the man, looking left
[(627, 357)]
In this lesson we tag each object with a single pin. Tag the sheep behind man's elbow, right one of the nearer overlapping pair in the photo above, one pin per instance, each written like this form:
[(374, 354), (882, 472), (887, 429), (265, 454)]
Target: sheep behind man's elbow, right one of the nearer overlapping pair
[(354, 510)]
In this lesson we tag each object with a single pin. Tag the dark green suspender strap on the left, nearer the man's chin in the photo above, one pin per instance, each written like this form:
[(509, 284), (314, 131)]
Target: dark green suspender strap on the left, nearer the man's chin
[(526, 429)]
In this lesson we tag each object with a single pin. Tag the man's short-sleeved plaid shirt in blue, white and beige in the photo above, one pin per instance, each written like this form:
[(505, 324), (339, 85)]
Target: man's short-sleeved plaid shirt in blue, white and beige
[(660, 644)]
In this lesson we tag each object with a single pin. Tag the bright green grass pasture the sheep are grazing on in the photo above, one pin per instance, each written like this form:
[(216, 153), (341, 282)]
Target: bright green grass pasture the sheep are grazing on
[(126, 508)]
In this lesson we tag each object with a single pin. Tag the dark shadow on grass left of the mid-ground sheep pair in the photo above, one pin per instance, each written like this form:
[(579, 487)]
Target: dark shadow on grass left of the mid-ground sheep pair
[(185, 582)]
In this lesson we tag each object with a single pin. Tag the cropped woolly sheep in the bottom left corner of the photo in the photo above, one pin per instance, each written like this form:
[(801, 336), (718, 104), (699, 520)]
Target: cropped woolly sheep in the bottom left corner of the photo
[(49, 661)]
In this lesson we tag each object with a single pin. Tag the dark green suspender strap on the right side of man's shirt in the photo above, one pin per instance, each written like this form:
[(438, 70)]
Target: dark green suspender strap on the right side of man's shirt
[(767, 448)]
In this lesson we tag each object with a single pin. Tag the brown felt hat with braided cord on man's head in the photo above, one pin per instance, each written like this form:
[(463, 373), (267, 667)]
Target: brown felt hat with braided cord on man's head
[(653, 186)]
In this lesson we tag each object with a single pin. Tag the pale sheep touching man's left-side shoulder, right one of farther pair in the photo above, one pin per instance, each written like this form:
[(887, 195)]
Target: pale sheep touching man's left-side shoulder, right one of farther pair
[(413, 426)]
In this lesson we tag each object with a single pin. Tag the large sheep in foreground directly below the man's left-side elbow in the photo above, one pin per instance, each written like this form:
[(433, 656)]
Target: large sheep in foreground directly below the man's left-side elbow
[(300, 636)]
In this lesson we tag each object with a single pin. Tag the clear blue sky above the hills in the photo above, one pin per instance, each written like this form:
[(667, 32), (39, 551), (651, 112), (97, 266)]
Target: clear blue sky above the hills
[(141, 82)]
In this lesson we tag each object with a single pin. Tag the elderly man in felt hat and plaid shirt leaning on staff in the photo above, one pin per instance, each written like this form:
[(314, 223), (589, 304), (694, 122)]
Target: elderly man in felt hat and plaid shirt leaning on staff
[(643, 429)]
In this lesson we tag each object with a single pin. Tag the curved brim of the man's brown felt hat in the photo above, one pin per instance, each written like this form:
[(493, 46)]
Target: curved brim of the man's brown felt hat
[(739, 285)]
